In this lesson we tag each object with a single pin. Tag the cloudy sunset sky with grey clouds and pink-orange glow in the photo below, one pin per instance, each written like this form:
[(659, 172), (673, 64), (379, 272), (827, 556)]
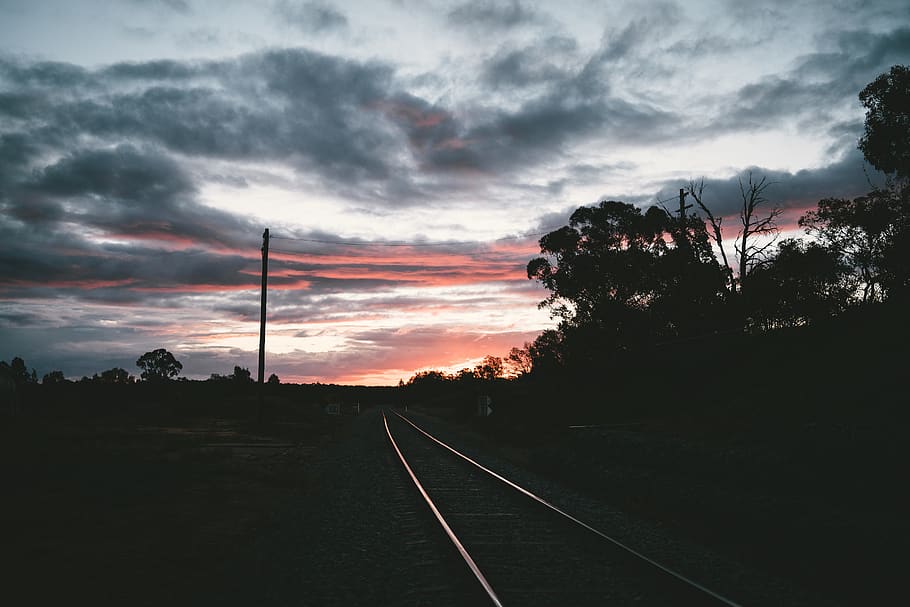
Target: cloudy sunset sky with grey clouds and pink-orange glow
[(405, 155)]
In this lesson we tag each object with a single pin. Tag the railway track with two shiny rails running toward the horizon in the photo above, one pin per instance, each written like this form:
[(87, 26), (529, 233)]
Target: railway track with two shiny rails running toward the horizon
[(521, 549)]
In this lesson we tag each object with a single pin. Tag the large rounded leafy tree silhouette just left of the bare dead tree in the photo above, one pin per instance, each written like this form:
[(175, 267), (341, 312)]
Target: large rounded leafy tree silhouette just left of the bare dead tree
[(619, 277)]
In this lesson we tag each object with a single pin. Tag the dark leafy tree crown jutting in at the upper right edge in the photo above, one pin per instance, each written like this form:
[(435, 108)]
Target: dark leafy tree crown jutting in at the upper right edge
[(886, 140)]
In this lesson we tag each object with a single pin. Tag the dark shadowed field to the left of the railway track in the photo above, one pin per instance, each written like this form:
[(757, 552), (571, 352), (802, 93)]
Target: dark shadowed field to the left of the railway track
[(148, 503)]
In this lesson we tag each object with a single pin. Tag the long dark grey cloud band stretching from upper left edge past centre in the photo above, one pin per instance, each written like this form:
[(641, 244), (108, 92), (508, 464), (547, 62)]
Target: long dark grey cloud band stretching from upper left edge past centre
[(348, 123)]
